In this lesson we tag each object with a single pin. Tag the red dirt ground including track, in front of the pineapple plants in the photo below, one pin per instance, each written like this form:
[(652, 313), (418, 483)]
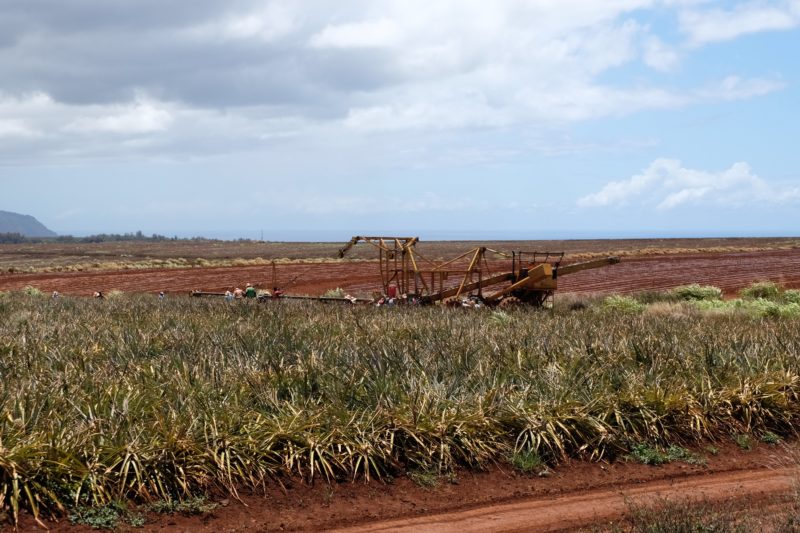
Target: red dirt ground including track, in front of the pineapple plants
[(574, 495)]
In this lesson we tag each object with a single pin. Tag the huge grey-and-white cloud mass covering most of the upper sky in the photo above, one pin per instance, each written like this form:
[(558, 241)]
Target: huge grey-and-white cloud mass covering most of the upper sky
[(273, 71)]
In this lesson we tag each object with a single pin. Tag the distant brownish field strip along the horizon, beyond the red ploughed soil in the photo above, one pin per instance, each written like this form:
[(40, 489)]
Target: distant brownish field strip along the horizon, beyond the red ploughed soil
[(93, 256)]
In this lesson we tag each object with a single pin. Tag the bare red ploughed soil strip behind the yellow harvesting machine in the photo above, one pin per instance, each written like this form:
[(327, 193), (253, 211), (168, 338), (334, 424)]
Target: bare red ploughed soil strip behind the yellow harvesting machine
[(729, 271)]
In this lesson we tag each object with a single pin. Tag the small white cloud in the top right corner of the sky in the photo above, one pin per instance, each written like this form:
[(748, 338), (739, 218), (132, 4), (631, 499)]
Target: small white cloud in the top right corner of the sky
[(715, 25)]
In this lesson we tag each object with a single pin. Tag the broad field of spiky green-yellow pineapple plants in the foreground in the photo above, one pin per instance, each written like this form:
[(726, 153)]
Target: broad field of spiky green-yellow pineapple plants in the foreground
[(137, 399)]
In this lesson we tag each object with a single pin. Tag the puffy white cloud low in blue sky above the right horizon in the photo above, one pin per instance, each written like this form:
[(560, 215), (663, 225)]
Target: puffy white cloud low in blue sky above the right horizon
[(666, 184)]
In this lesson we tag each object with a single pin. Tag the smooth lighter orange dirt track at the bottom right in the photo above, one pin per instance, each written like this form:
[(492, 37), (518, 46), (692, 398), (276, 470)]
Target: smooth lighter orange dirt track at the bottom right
[(565, 513)]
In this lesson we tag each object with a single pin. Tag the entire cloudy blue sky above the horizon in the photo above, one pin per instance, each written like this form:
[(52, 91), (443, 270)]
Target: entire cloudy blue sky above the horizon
[(318, 120)]
